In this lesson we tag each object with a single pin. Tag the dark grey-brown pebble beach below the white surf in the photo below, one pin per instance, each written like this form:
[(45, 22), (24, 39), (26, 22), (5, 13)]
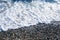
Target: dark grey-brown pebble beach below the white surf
[(40, 31)]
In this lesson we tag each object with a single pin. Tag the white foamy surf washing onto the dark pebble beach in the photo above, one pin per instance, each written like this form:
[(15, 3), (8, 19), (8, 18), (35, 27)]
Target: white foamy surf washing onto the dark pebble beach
[(23, 14)]
